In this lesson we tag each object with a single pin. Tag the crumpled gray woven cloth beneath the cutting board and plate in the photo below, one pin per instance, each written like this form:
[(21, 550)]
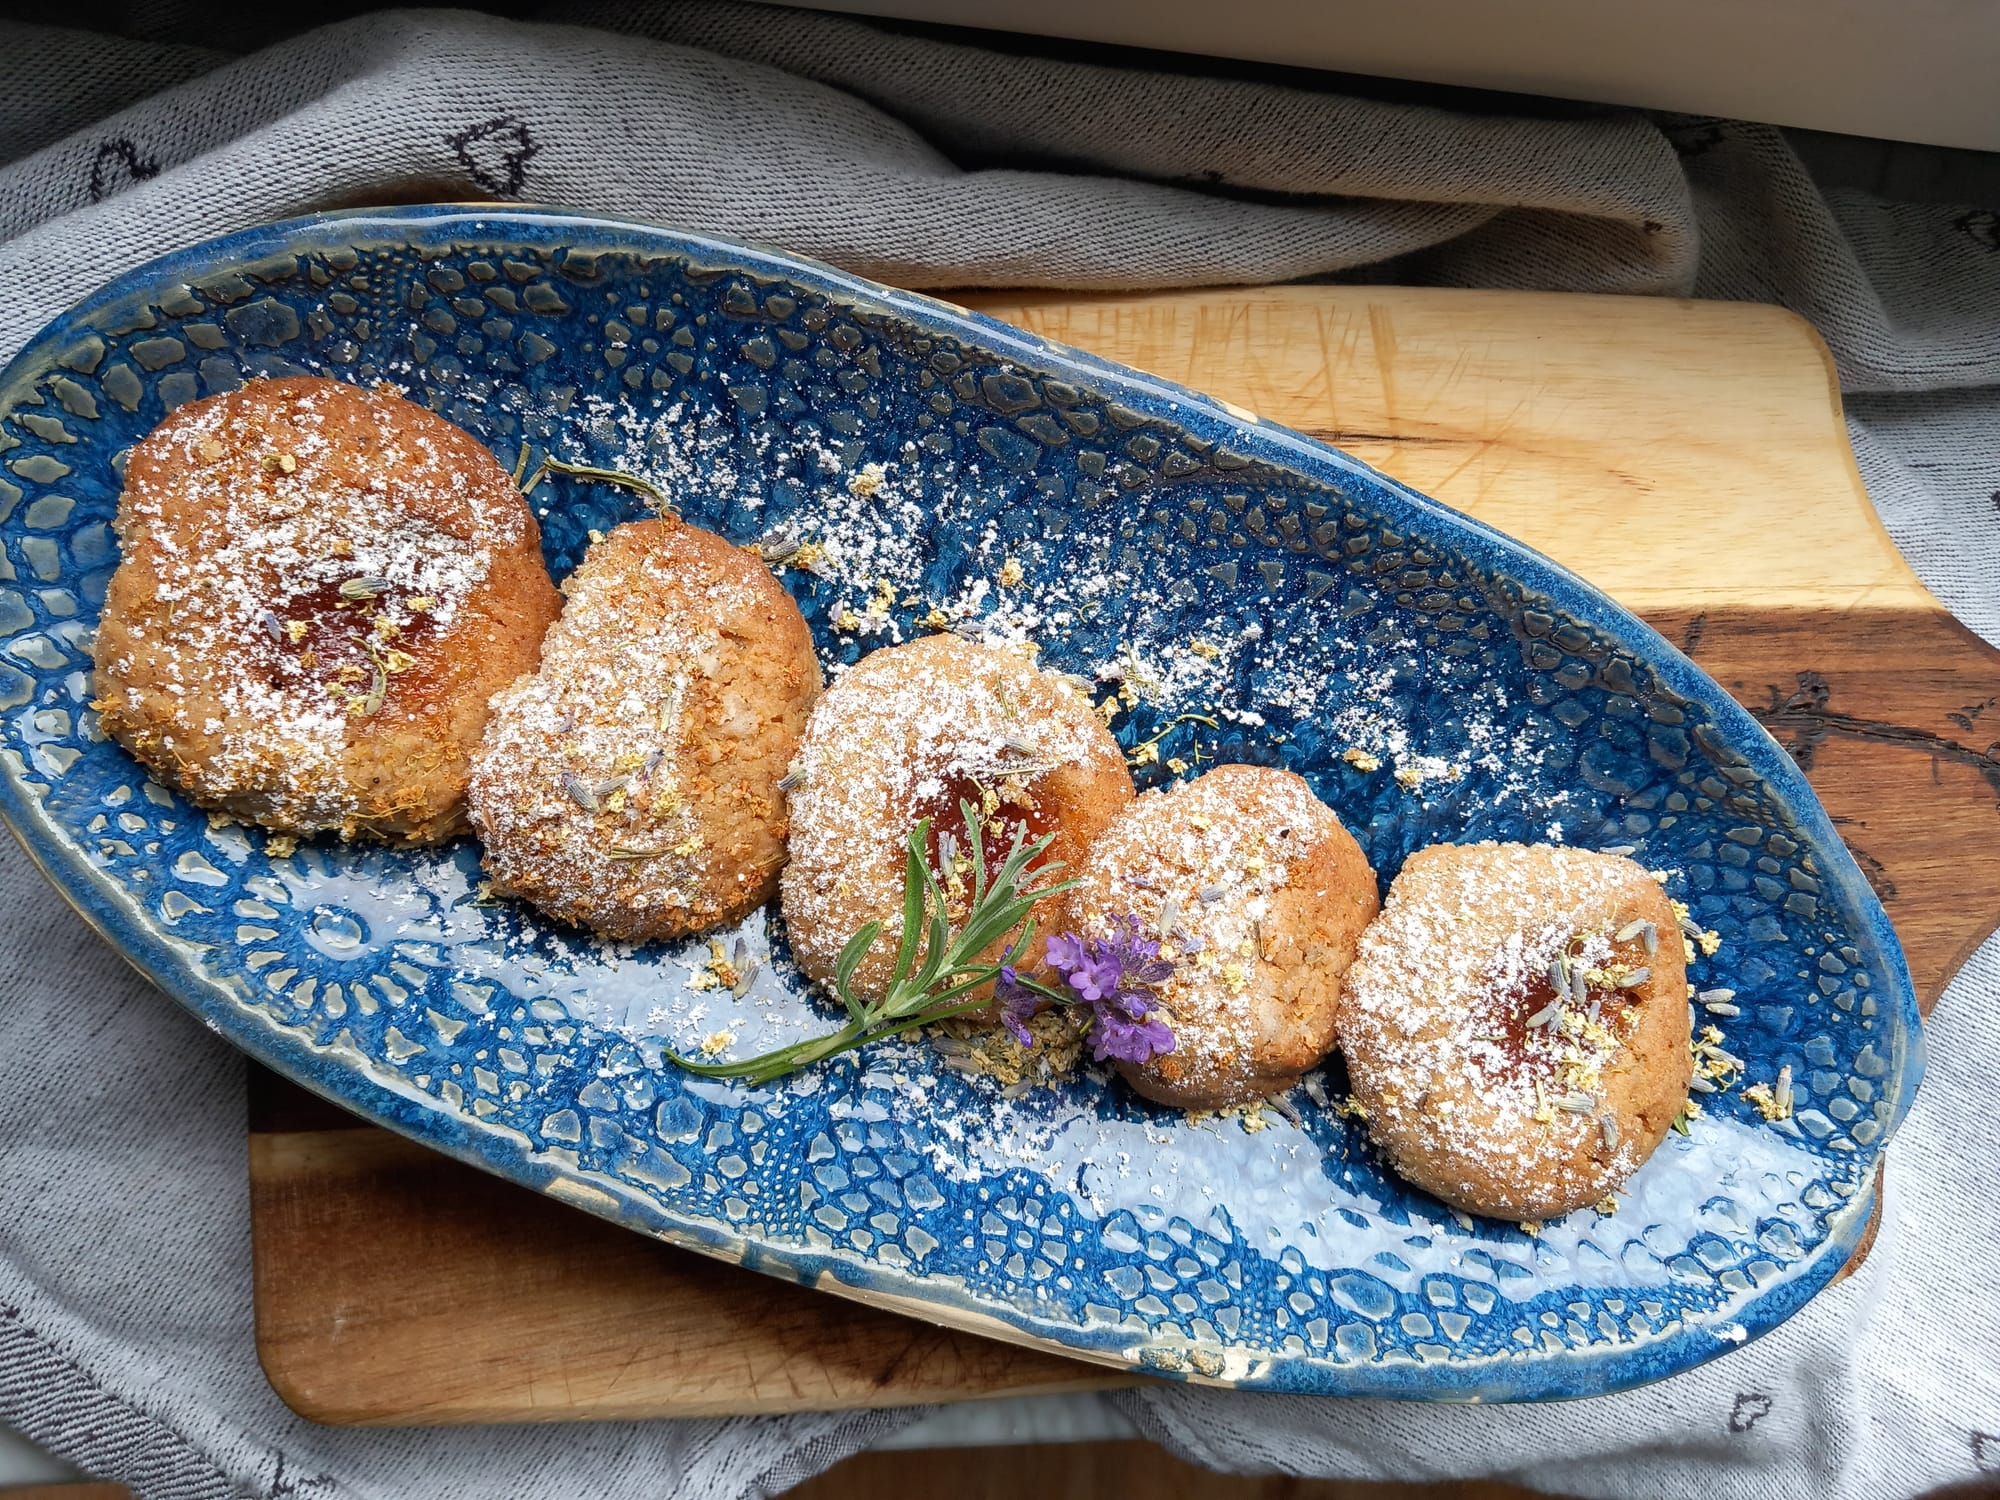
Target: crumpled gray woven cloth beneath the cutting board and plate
[(125, 1271)]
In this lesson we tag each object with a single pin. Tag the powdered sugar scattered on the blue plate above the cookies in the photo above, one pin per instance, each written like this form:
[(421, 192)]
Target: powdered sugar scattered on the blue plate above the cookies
[(897, 537)]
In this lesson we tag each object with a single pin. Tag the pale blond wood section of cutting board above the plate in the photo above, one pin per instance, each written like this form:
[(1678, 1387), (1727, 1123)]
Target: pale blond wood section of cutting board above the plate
[(1665, 451)]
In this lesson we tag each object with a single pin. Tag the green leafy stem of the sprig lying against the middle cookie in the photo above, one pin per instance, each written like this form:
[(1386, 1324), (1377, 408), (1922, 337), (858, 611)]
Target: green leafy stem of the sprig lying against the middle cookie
[(953, 967)]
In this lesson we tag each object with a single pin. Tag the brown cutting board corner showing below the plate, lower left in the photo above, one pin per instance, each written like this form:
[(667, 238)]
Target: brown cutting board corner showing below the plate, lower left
[(397, 1287)]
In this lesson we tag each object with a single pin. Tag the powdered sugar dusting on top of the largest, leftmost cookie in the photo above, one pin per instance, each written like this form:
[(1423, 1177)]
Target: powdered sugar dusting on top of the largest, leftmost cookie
[(307, 545)]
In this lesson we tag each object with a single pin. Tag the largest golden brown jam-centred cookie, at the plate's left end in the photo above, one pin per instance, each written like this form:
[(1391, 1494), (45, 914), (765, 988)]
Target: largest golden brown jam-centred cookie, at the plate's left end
[(319, 591)]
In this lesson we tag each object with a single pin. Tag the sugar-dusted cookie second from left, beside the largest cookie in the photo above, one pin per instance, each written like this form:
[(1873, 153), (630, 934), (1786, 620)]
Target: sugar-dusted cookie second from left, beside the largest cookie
[(631, 785)]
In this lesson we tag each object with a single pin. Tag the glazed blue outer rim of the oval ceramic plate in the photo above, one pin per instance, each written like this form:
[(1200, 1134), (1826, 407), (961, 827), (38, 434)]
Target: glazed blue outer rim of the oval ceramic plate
[(1569, 1375)]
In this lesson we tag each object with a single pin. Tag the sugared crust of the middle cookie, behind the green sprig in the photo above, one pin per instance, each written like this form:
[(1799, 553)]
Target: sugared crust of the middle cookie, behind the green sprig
[(903, 735)]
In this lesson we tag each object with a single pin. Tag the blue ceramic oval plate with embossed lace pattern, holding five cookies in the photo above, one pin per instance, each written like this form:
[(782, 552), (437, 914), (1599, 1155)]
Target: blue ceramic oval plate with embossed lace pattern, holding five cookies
[(1299, 601)]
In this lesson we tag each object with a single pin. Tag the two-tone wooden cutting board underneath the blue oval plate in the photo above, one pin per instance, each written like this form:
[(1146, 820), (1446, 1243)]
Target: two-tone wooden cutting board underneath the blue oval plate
[(1687, 457)]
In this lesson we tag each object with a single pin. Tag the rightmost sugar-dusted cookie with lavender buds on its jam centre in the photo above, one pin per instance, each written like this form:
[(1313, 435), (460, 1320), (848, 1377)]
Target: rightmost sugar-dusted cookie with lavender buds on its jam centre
[(1467, 1097)]
